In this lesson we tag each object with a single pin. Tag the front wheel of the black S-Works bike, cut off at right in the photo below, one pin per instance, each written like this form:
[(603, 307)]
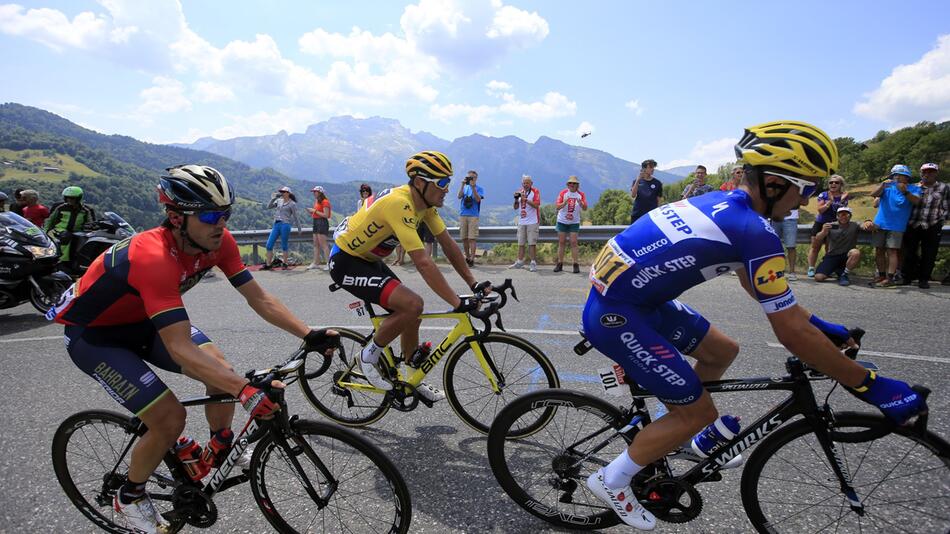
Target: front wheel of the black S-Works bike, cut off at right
[(855, 436)]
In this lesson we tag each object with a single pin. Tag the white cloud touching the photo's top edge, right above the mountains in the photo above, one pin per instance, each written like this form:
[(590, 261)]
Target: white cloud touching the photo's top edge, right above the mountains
[(470, 36)]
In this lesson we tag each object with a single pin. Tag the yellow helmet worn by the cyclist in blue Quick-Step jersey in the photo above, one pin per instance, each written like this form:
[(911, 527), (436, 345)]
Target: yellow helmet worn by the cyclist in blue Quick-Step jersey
[(793, 146)]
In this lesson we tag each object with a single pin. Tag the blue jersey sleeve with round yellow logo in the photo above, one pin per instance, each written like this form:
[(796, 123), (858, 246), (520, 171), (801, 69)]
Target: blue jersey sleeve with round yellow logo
[(764, 260)]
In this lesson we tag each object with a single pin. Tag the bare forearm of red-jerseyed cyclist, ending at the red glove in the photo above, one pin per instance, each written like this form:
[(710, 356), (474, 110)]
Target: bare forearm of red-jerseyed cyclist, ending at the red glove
[(197, 363)]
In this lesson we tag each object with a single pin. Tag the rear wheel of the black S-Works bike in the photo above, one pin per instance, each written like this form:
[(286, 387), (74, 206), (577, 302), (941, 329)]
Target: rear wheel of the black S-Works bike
[(510, 457)]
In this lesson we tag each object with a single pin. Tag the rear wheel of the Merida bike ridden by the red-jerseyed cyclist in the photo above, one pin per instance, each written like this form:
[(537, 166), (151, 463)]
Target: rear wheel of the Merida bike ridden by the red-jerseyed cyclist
[(86, 447)]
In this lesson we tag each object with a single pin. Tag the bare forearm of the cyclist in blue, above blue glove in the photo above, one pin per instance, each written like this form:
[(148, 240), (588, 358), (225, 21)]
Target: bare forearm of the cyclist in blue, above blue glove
[(803, 339)]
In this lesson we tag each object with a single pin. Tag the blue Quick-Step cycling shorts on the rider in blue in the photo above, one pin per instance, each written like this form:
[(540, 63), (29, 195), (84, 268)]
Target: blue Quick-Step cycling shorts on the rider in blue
[(649, 343)]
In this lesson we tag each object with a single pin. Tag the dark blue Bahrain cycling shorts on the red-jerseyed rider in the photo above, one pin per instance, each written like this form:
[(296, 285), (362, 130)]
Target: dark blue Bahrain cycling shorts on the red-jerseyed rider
[(116, 356)]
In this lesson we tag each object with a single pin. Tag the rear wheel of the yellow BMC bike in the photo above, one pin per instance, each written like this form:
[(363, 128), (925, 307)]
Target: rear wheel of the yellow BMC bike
[(333, 402)]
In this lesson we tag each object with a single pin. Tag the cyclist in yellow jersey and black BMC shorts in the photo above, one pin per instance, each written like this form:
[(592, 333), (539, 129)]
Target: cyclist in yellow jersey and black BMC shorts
[(362, 242)]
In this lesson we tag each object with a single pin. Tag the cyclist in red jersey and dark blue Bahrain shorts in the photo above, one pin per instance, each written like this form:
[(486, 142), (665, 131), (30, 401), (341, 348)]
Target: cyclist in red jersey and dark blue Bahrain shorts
[(127, 310)]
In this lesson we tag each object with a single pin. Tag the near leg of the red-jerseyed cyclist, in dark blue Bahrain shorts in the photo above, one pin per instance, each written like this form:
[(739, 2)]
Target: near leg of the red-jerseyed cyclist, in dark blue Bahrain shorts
[(119, 368)]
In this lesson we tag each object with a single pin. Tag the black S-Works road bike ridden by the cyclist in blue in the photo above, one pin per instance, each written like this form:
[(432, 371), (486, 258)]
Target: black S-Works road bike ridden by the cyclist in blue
[(827, 471)]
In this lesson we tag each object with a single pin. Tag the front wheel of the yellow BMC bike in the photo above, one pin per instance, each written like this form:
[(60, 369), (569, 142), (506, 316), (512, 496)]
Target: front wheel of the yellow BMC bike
[(524, 367)]
